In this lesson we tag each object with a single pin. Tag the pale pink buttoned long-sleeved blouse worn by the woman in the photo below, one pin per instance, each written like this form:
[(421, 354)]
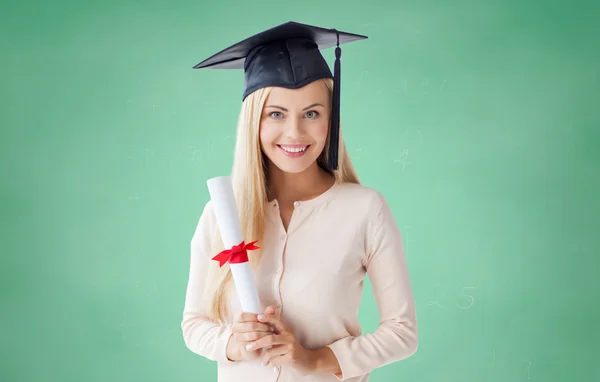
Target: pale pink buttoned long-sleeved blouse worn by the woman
[(315, 271)]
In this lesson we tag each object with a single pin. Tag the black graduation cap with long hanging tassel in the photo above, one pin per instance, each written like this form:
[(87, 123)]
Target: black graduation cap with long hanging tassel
[(289, 56)]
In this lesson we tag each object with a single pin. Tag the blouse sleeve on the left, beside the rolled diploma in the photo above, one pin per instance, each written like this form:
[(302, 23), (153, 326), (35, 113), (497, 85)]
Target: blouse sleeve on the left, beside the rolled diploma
[(202, 335)]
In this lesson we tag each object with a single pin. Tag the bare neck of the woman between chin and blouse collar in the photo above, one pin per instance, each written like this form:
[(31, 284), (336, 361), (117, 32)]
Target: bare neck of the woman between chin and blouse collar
[(288, 187)]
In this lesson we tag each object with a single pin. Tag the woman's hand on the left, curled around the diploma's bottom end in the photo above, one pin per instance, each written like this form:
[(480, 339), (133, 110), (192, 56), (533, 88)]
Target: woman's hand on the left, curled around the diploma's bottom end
[(246, 329)]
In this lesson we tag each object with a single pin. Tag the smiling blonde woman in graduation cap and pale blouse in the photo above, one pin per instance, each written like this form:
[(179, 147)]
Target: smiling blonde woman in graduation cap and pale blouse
[(319, 231)]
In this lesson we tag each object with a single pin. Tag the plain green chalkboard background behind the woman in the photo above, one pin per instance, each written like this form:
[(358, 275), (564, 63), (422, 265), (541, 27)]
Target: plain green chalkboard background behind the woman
[(478, 120)]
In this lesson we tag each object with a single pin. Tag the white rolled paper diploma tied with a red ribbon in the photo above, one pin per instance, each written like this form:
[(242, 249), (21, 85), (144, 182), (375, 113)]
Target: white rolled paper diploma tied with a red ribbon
[(228, 220)]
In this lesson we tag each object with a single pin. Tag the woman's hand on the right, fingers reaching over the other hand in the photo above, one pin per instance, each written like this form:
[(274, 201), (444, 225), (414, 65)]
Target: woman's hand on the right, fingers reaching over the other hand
[(285, 349)]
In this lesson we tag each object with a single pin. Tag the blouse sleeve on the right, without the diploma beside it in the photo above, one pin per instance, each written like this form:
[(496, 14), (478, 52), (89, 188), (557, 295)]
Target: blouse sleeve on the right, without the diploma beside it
[(396, 337)]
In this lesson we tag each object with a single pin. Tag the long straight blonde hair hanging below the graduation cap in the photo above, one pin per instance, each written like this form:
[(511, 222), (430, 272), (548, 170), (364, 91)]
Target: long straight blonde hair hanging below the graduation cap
[(249, 178)]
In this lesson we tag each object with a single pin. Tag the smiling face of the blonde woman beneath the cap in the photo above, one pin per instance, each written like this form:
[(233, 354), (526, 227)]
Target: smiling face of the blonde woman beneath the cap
[(294, 126)]
